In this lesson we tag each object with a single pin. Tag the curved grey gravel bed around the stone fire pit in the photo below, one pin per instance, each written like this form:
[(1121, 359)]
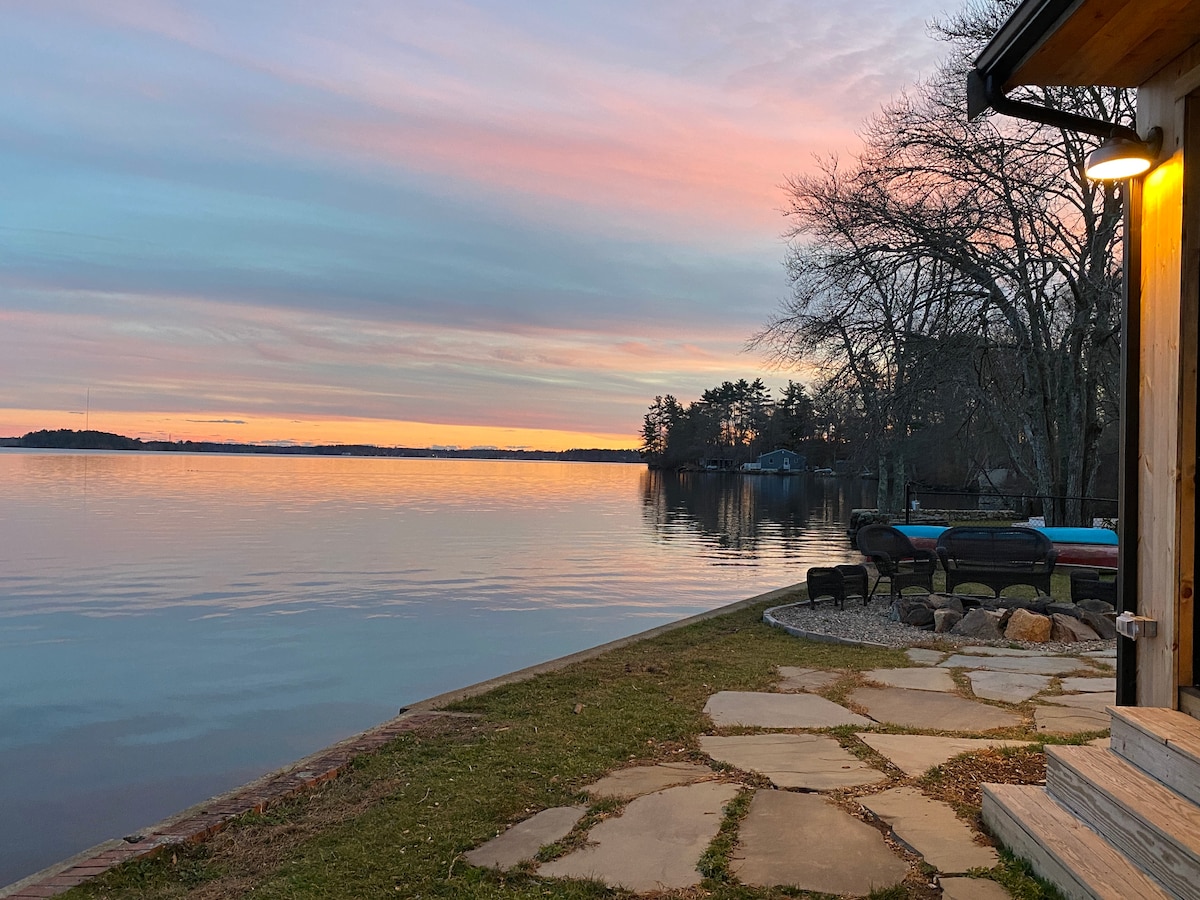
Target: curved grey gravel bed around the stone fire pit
[(859, 623)]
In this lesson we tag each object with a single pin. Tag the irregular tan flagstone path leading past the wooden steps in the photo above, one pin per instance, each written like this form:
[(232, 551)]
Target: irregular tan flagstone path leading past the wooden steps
[(794, 835)]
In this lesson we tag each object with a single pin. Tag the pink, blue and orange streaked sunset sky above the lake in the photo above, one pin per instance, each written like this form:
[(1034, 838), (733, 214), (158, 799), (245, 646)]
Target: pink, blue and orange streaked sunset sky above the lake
[(489, 223)]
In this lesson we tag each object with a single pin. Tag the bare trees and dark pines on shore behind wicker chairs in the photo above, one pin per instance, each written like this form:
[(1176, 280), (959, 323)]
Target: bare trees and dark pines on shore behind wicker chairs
[(957, 289)]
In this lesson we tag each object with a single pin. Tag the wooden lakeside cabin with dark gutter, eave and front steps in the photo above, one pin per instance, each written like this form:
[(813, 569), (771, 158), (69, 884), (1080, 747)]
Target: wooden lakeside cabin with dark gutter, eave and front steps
[(1126, 821)]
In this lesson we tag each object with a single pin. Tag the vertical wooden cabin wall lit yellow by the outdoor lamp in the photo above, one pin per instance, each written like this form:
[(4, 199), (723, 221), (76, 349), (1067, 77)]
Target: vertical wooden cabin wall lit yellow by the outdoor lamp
[(1168, 389)]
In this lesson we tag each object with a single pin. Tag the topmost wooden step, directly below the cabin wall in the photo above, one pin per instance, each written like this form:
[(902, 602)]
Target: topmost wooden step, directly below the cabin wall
[(1163, 743)]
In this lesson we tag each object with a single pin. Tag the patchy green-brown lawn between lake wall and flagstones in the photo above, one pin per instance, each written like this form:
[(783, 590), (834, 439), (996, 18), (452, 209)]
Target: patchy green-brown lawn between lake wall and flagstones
[(398, 824)]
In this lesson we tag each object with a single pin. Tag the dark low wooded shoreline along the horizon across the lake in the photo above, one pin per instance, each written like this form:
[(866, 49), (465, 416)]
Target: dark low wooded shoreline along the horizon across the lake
[(69, 440)]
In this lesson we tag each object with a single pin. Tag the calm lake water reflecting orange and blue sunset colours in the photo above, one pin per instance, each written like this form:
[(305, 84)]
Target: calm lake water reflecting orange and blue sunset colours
[(175, 626)]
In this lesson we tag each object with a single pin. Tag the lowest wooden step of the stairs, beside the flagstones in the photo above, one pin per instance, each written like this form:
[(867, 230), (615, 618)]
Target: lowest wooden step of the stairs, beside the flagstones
[(1061, 848)]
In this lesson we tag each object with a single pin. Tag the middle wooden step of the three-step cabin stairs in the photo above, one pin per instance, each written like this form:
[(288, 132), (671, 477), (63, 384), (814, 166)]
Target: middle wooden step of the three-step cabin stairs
[(1155, 827)]
